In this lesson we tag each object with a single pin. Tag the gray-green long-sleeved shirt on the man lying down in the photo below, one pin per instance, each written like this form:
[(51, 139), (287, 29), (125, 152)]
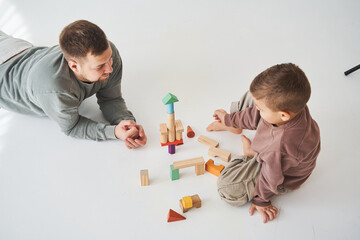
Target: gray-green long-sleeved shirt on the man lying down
[(39, 82)]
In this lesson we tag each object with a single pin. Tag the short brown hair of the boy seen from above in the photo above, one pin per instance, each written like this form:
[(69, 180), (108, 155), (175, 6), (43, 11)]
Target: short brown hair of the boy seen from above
[(284, 87)]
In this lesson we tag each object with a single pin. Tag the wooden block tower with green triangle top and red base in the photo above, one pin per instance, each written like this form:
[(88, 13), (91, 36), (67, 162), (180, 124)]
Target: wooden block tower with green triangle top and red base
[(171, 132)]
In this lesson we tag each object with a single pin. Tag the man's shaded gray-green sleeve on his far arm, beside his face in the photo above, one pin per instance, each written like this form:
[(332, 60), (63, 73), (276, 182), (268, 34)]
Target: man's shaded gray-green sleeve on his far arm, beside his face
[(110, 99)]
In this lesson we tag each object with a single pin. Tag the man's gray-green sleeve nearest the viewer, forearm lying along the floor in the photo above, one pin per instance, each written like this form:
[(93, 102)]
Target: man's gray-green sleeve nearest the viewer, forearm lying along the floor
[(63, 109)]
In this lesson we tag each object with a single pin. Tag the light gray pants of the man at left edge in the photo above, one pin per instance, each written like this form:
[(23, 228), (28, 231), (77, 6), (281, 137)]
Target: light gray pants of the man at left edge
[(9, 46)]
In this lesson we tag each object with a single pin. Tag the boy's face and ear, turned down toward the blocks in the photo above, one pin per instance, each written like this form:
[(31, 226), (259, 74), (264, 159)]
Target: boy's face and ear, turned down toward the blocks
[(273, 117)]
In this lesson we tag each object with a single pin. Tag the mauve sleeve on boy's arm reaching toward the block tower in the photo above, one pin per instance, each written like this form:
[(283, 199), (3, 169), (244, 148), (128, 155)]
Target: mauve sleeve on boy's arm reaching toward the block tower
[(246, 119)]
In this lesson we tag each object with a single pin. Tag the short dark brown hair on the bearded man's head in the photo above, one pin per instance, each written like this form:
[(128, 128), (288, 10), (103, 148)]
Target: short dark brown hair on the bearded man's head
[(80, 37)]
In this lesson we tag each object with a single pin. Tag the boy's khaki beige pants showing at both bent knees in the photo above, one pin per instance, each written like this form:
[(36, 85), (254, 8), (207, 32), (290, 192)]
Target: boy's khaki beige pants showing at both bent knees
[(236, 182)]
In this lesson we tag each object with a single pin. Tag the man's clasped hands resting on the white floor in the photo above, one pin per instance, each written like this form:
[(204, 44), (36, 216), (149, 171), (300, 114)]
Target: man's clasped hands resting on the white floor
[(131, 133)]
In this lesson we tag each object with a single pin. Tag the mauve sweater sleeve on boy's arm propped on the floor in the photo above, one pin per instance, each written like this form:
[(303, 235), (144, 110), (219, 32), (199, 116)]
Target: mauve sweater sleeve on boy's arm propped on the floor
[(270, 177)]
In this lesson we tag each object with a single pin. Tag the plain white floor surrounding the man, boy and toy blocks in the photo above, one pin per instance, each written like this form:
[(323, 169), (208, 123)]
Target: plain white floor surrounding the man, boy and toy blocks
[(206, 53)]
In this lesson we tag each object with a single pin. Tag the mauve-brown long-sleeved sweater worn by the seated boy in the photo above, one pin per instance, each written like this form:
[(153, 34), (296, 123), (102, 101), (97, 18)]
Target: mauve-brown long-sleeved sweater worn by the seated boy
[(287, 153)]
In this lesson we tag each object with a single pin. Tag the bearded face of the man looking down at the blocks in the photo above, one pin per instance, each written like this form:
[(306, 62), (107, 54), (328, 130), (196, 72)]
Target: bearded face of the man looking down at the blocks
[(95, 68)]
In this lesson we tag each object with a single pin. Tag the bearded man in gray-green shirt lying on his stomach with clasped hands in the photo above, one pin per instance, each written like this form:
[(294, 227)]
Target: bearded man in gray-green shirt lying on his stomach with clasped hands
[(54, 81)]
